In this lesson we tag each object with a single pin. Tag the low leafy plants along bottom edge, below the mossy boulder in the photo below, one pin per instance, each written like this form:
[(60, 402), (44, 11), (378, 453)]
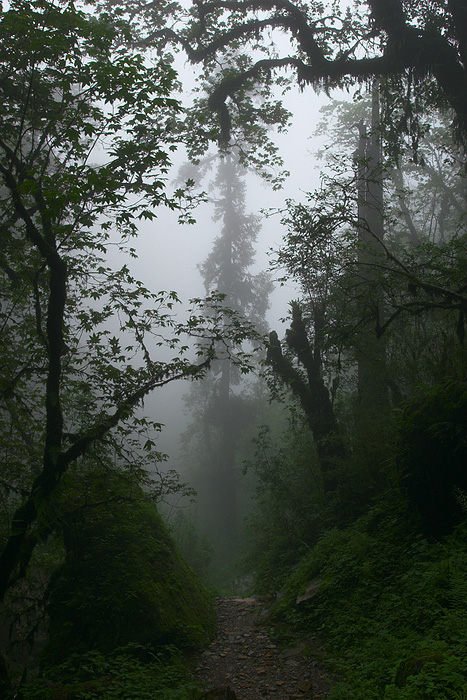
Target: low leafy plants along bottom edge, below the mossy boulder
[(133, 672)]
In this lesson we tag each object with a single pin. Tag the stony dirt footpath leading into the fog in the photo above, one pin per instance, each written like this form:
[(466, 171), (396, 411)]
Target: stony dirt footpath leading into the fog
[(244, 663)]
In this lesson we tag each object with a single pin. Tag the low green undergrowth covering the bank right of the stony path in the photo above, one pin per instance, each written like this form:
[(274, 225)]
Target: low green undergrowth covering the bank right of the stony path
[(391, 606)]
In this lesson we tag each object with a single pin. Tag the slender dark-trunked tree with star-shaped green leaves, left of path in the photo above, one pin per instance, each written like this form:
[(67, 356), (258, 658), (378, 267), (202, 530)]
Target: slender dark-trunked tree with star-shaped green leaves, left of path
[(86, 137)]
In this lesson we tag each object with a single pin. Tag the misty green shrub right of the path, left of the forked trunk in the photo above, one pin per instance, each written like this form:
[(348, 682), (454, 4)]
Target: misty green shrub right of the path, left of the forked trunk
[(288, 506)]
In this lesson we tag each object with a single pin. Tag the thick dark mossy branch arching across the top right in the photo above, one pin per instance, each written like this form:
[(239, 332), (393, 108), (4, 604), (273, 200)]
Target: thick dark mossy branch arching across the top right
[(404, 46)]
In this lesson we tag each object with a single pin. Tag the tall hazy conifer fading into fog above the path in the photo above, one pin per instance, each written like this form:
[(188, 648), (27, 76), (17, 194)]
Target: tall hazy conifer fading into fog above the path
[(221, 412)]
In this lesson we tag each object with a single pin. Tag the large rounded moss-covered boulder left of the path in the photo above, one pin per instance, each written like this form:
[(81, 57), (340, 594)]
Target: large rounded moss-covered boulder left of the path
[(124, 581)]
